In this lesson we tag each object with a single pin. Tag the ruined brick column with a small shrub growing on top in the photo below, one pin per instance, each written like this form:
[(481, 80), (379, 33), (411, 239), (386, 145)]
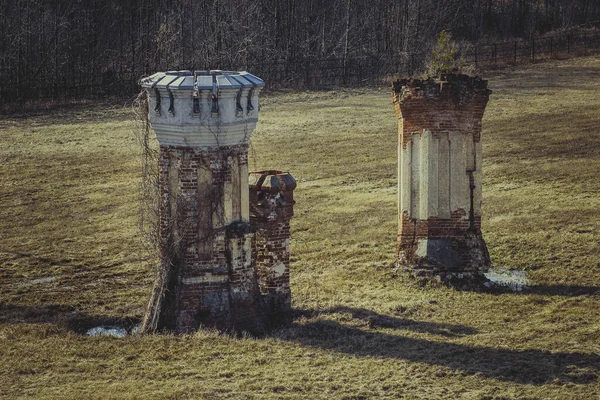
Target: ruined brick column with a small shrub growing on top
[(439, 177)]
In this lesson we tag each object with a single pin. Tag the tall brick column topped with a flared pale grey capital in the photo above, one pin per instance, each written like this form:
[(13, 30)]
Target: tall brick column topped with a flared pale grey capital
[(203, 121)]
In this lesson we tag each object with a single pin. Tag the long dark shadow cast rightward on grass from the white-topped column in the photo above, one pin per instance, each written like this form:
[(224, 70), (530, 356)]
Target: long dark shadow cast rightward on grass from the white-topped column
[(522, 366)]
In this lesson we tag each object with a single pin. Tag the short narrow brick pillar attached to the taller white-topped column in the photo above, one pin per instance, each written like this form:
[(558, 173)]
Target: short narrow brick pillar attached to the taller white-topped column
[(271, 209)]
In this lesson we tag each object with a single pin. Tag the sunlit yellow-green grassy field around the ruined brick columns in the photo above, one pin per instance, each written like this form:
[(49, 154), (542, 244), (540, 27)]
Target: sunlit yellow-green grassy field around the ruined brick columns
[(71, 257)]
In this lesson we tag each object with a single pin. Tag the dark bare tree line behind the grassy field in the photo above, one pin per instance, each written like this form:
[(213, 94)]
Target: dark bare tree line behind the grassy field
[(58, 48)]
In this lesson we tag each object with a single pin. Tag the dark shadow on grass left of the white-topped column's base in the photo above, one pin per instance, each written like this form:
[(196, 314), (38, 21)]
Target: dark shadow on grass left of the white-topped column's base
[(63, 316)]
